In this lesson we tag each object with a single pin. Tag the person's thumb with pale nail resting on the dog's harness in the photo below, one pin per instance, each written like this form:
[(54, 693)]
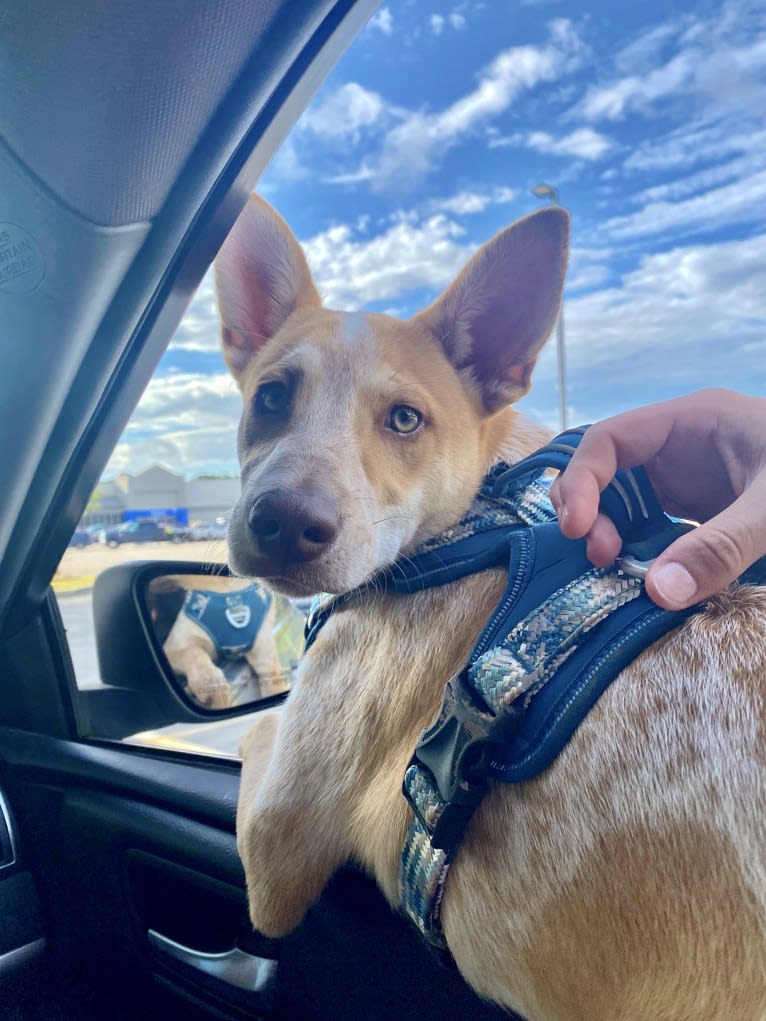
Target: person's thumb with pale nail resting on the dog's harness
[(706, 561)]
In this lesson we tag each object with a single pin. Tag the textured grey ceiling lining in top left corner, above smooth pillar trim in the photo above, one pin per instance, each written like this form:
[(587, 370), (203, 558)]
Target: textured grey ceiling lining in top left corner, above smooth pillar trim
[(120, 94)]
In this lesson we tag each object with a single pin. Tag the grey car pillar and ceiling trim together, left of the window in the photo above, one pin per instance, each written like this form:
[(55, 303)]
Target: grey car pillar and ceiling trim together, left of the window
[(130, 138)]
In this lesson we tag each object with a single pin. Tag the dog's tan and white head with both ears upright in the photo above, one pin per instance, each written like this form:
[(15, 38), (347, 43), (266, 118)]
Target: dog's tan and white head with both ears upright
[(363, 435)]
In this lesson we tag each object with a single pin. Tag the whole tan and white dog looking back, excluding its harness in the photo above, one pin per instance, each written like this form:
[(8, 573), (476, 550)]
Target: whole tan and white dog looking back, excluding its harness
[(627, 882)]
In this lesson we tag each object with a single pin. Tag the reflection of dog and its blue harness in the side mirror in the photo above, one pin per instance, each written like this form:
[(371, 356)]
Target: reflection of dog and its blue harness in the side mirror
[(206, 623)]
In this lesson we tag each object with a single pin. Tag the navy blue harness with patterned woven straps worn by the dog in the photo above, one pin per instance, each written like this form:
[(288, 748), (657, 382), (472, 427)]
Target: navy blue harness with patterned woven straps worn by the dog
[(561, 634)]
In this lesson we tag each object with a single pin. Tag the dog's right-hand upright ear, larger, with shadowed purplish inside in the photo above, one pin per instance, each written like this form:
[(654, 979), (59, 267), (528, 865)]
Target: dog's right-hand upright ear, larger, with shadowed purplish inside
[(496, 316)]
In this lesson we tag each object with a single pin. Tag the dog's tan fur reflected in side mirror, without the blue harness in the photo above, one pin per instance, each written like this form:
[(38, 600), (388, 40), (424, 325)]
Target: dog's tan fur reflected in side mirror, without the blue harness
[(191, 652)]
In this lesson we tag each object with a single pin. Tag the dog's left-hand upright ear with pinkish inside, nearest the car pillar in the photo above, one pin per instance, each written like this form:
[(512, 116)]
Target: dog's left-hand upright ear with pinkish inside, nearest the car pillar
[(262, 276)]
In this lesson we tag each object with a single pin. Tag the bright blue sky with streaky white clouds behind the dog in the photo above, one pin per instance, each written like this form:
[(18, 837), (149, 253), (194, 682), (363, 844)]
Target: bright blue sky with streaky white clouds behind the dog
[(648, 118)]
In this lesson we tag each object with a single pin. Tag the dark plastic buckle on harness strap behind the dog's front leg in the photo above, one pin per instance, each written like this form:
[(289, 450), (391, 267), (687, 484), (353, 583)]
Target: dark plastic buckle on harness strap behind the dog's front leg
[(456, 752)]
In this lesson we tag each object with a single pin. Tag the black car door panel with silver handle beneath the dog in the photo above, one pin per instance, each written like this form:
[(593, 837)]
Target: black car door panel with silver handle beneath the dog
[(126, 844)]
